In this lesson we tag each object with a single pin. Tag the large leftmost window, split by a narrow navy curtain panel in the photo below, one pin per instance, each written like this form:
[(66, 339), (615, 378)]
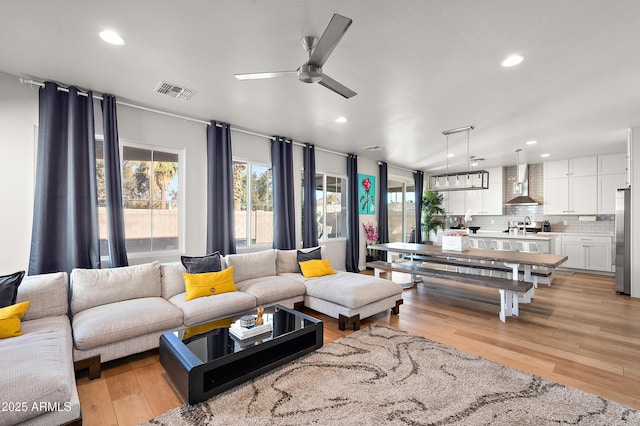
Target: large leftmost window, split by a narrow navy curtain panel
[(150, 183)]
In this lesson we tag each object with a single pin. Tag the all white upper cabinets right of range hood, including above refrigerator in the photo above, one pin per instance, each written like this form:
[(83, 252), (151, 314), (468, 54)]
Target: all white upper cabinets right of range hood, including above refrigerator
[(583, 185)]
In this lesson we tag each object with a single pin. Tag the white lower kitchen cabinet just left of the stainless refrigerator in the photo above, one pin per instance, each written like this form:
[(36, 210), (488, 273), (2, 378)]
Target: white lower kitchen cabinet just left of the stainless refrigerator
[(587, 252)]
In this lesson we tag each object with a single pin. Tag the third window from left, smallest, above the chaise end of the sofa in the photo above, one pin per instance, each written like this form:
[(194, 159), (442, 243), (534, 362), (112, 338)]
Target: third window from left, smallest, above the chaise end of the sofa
[(331, 206)]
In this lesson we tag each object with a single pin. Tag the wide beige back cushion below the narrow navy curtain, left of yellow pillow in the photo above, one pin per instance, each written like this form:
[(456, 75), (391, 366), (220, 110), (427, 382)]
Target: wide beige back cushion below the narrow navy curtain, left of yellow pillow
[(95, 287)]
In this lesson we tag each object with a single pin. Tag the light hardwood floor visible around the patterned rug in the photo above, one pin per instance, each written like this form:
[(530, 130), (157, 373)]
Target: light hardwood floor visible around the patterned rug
[(578, 332)]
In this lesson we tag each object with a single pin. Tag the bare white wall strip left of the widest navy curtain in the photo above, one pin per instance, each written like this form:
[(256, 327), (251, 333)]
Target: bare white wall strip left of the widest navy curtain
[(18, 121)]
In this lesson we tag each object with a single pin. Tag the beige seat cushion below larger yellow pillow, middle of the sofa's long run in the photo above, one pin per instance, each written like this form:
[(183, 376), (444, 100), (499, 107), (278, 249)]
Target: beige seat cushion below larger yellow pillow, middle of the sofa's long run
[(209, 308)]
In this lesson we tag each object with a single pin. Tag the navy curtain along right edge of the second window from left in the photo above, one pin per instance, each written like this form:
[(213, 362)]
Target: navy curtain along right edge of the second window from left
[(284, 231)]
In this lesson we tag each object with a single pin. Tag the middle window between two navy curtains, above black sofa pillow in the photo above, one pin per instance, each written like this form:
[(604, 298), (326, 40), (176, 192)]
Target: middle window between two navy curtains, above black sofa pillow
[(253, 203)]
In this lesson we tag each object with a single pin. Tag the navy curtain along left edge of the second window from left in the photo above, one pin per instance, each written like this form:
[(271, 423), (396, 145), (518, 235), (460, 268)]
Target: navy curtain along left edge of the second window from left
[(220, 213)]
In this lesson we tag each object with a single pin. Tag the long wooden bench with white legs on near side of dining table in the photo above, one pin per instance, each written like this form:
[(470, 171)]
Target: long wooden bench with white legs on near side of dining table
[(509, 289)]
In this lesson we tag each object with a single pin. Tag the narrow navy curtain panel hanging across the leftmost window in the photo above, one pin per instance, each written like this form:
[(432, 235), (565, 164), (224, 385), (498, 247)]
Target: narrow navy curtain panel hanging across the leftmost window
[(113, 185)]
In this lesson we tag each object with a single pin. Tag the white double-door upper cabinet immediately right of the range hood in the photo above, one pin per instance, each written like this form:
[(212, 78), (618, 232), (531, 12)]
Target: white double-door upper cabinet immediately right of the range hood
[(575, 192)]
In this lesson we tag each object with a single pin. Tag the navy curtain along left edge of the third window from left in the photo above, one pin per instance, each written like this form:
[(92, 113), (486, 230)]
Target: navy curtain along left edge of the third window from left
[(309, 221)]
